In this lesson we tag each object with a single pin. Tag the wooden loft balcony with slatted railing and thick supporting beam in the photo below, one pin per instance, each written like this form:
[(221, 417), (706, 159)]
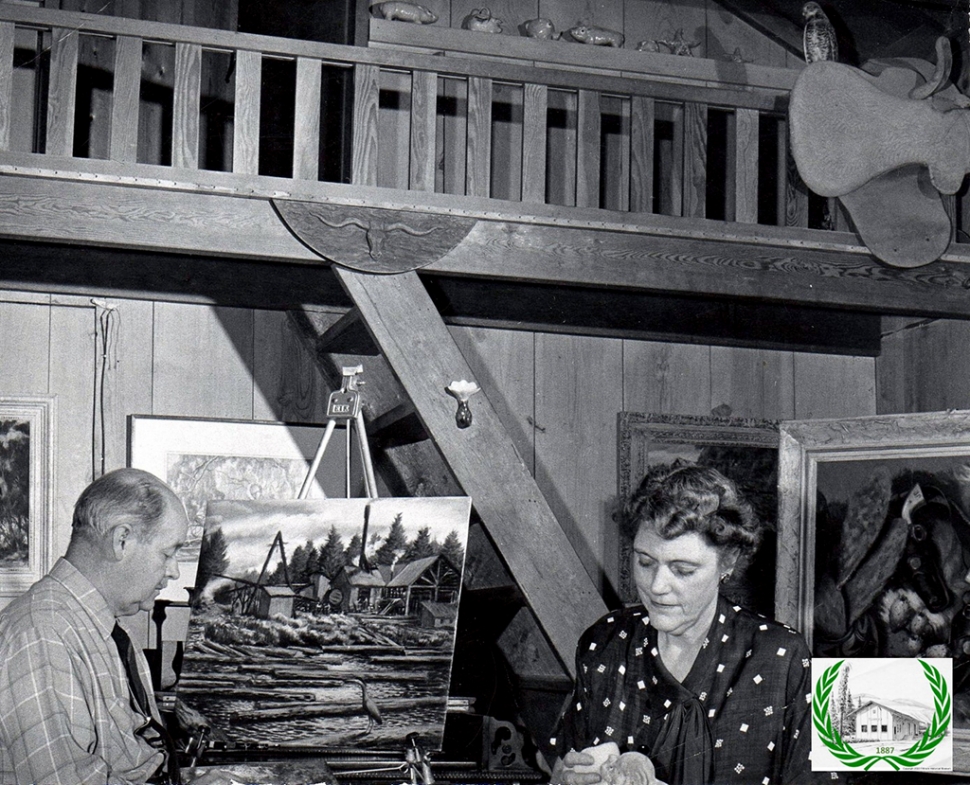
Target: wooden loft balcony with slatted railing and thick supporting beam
[(590, 174)]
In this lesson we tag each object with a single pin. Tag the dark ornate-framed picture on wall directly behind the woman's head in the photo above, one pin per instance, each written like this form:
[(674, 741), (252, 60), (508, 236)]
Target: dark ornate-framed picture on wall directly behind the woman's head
[(745, 450)]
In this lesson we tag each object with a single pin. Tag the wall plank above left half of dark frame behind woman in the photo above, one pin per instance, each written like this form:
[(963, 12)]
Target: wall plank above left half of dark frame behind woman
[(666, 378)]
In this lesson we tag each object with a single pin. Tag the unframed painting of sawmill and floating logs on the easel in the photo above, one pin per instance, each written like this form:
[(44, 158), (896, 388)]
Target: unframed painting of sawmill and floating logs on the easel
[(326, 622)]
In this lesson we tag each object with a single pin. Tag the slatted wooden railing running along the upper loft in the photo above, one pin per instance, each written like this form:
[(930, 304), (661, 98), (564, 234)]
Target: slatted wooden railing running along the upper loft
[(655, 136)]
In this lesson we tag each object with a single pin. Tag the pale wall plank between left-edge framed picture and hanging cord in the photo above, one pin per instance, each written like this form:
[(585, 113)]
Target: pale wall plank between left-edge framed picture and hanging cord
[(72, 364)]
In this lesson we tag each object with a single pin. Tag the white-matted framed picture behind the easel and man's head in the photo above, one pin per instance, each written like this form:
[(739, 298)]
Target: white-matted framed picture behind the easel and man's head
[(209, 459)]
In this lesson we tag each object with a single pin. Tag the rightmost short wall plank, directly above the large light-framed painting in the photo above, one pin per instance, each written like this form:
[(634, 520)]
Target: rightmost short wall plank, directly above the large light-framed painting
[(834, 386)]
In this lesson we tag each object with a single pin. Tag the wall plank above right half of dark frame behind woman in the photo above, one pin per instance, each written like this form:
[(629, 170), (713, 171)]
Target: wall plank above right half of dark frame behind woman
[(753, 382)]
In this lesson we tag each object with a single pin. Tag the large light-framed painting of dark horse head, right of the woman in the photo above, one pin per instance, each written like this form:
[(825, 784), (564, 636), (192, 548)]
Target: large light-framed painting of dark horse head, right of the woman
[(874, 541)]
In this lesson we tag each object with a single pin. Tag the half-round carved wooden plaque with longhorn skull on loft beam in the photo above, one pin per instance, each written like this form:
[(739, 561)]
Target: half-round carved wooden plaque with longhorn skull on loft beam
[(371, 239)]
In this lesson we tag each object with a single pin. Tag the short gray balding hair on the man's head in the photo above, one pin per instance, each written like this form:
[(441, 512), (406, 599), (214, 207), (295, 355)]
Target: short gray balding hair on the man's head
[(122, 496)]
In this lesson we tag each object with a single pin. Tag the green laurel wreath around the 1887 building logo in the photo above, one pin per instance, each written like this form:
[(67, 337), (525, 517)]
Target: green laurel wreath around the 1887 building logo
[(915, 755)]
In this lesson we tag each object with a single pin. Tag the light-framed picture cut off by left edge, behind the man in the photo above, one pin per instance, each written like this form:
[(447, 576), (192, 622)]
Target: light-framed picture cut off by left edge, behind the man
[(26, 490)]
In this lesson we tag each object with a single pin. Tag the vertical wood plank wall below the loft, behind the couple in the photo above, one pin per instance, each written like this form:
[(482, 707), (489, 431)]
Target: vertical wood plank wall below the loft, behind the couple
[(558, 394)]
